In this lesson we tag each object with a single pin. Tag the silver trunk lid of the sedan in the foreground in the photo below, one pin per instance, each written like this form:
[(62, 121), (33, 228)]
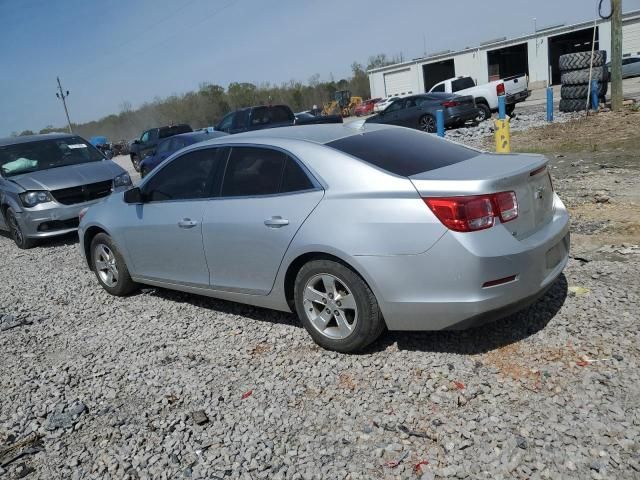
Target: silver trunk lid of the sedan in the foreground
[(526, 175)]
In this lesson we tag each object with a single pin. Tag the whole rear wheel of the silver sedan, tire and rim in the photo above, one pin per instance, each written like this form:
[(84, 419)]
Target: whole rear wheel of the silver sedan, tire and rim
[(319, 287)]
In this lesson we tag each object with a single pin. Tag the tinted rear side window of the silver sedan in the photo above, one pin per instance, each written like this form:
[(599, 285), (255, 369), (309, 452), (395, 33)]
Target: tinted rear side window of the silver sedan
[(255, 171)]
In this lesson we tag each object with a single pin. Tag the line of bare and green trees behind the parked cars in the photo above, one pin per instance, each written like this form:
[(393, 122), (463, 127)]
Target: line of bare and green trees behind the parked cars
[(207, 105)]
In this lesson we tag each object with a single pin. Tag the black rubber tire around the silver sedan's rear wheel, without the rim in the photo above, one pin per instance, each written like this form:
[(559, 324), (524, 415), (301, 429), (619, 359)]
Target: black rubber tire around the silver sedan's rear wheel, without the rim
[(367, 330)]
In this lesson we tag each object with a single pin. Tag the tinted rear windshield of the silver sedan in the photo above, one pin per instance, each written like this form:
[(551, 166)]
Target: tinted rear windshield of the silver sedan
[(403, 151)]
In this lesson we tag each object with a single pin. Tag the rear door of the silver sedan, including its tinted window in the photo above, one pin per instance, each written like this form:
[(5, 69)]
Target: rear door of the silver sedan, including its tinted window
[(265, 197)]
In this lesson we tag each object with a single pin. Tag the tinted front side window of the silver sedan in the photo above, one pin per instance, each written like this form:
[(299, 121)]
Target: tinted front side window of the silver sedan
[(186, 177)]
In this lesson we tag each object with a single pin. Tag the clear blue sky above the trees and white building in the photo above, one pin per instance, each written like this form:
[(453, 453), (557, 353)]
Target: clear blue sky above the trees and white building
[(113, 51)]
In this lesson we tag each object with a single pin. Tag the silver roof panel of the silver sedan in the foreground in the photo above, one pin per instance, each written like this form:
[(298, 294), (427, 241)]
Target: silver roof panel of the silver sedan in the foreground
[(320, 134)]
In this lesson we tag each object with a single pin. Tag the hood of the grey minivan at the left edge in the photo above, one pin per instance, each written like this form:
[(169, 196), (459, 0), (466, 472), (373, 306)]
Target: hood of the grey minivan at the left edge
[(68, 176)]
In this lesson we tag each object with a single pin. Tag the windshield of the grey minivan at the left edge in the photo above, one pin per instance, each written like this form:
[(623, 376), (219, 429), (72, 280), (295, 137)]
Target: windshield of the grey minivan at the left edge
[(45, 154)]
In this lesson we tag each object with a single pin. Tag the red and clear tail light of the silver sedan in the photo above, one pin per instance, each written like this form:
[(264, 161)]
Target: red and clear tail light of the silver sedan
[(472, 213)]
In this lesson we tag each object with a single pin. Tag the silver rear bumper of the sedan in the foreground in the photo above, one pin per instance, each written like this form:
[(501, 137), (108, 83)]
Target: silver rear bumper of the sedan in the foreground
[(443, 287)]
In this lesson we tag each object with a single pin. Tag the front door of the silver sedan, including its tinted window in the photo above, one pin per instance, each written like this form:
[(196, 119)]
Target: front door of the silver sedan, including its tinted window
[(164, 234)]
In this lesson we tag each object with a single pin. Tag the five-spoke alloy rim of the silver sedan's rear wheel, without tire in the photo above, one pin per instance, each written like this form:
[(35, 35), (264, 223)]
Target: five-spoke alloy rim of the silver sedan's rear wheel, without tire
[(330, 306)]
